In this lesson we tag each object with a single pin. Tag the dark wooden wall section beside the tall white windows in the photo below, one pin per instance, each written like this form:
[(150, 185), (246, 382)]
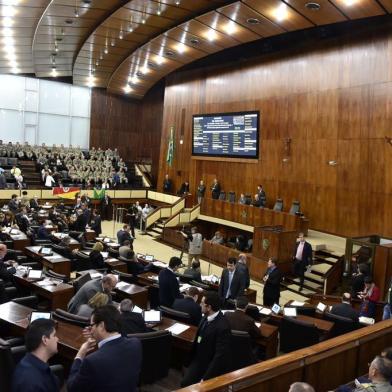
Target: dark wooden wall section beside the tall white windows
[(131, 126)]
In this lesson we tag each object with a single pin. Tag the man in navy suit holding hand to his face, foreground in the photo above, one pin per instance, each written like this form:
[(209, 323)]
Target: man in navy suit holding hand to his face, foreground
[(115, 366)]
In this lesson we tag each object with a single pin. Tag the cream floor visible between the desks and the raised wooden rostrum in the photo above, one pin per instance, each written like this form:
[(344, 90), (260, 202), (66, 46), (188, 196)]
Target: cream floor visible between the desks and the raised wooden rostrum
[(147, 244)]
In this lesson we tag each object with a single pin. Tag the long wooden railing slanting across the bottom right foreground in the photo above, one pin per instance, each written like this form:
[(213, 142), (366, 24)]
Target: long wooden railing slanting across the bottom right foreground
[(324, 366)]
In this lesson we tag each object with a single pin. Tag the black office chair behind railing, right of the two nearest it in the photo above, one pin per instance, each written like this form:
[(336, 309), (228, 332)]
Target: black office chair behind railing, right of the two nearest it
[(295, 334)]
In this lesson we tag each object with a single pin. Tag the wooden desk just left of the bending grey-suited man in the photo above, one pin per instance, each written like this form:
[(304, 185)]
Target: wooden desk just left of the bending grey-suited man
[(58, 295)]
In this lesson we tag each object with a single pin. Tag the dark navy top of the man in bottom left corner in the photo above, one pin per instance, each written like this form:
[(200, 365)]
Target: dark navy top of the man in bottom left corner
[(32, 375)]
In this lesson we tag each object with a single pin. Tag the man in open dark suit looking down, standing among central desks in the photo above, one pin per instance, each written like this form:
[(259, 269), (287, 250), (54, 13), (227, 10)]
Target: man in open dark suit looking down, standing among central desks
[(232, 283)]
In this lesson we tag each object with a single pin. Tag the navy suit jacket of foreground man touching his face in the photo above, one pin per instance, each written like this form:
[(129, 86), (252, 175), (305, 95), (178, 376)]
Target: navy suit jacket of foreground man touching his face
[(113, 367)]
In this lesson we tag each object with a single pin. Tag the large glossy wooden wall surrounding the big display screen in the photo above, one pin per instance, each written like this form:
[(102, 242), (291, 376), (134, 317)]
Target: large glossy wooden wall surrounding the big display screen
[(333, 102)]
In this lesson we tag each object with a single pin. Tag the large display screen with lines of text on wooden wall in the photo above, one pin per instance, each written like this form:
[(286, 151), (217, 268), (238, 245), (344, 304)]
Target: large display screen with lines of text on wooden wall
[(233, 135)]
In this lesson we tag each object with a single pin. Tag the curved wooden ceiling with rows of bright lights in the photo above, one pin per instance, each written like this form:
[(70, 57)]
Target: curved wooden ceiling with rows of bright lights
[(127, 46)]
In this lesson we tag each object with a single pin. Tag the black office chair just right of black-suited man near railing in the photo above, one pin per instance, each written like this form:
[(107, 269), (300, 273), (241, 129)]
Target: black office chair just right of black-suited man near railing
[(241, 348)]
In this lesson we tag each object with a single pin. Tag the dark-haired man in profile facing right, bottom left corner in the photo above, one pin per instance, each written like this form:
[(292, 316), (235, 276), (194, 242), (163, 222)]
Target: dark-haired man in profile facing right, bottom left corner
[(32, 373)]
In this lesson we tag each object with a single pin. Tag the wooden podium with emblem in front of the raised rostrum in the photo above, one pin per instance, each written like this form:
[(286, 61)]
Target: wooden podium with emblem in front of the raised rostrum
[(274, 241)]
